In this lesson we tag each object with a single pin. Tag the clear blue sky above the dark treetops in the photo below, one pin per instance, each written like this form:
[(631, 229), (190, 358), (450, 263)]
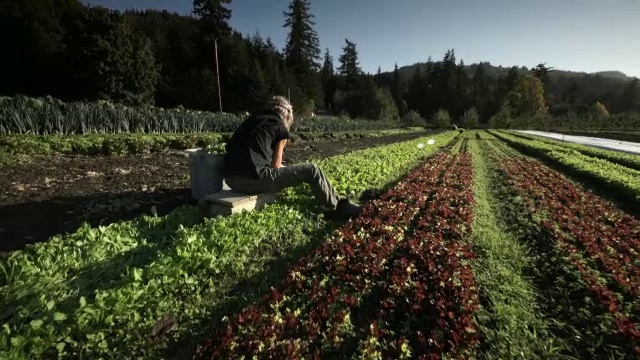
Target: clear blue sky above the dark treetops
[(578, 35)]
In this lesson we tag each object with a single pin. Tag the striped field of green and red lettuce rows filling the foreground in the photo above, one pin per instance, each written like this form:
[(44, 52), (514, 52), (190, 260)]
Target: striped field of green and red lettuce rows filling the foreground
[(487, 245)]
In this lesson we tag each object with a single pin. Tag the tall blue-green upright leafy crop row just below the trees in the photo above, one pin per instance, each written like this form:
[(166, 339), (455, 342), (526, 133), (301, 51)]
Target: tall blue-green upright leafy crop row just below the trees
[(48, 116)]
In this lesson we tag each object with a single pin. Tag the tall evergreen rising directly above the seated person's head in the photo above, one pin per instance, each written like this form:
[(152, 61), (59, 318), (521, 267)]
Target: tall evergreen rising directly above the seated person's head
[(302, 50)]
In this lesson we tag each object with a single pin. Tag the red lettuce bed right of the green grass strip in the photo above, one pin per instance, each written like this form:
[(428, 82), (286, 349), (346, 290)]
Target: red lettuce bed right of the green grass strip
[(602, 242)]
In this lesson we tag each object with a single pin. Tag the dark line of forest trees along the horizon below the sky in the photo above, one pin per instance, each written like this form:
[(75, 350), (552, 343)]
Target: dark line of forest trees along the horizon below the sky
[(75, 52)]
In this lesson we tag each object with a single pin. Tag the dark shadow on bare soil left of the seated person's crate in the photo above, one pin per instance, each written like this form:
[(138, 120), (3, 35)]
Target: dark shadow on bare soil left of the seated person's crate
[(33, 222)]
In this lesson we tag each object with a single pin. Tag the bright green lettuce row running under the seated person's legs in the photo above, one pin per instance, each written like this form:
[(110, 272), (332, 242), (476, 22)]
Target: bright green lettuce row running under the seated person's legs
[(107, 292)]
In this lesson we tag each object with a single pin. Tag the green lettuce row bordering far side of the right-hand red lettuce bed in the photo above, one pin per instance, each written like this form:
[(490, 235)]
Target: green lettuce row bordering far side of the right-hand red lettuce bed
[(620, 180)]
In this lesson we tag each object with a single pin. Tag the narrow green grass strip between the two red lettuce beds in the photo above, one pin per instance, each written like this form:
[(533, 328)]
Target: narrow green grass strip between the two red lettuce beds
[(509, 316)]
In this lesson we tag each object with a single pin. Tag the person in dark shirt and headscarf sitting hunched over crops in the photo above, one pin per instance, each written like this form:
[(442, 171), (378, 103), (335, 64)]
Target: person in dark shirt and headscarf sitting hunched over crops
[(253, 162)]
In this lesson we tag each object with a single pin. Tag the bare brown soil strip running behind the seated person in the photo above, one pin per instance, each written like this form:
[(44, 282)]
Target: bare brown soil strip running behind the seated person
[(56, 194)]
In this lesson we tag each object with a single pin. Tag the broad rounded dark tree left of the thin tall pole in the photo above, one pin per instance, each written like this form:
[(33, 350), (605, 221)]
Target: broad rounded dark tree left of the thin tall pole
[(109, 59)]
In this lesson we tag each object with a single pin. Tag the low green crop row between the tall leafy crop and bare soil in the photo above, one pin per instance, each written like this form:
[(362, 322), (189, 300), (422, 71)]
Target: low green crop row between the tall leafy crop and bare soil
[(134, 144)]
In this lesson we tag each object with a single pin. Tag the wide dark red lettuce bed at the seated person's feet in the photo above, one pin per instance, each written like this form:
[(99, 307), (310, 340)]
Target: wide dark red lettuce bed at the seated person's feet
[(391, 284)]
